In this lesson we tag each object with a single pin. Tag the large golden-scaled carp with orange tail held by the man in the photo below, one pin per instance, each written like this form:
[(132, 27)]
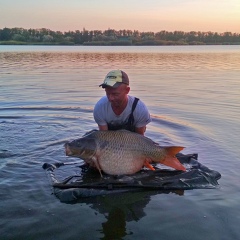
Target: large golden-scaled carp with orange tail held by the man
[(121, 152)]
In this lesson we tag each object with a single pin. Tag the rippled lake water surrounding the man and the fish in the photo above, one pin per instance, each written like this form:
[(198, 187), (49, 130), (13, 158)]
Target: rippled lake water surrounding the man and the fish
[(47, 97)]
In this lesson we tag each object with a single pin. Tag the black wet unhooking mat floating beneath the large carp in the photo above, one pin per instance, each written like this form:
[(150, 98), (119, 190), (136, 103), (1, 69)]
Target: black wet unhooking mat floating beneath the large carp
[(88, 182)]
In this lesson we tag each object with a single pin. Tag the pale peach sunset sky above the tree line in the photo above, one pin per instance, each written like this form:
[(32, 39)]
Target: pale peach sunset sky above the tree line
[(142, 15)]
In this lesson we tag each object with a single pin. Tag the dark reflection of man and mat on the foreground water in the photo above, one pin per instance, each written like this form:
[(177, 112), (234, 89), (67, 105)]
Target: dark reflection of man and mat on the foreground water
[(119, 210)]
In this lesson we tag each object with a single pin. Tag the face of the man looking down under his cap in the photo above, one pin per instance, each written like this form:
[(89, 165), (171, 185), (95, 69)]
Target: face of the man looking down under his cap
[(117, 96)]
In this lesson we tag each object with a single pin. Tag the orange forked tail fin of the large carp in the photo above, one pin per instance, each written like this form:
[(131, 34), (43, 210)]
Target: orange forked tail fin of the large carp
[(171, 159)]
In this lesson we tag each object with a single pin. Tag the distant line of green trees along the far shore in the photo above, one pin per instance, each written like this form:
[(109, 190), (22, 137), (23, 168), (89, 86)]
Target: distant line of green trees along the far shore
[(114, 37)]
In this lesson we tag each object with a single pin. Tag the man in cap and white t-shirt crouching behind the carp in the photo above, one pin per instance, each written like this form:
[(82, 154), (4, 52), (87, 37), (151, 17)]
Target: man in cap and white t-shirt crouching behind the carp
[(118, 110)]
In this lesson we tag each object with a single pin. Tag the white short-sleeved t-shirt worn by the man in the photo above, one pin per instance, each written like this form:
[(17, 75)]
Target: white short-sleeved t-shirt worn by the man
[(104, 115)]
